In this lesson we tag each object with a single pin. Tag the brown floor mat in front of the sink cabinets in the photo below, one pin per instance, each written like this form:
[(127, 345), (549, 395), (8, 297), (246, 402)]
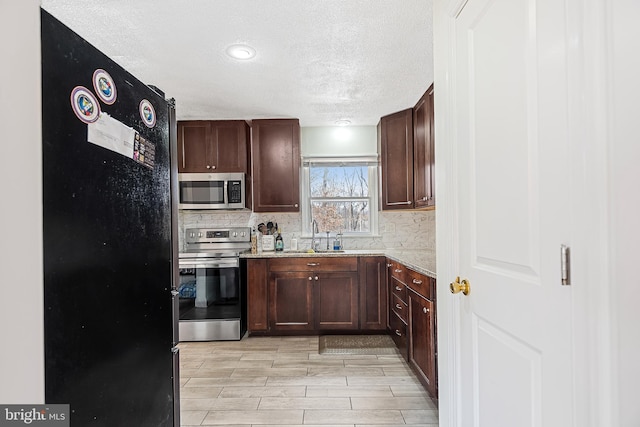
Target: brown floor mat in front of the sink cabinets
[(356, 344)]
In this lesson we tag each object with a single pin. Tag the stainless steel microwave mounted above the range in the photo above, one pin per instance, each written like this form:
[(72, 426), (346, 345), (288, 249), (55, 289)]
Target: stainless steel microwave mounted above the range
[(211, 190)]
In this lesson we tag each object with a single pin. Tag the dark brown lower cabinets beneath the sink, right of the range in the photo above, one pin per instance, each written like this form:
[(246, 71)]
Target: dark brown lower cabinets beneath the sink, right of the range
[(315, 294)]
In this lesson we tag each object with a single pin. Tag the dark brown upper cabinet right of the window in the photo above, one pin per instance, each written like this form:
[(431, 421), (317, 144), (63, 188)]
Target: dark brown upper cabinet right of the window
[(406, 147)]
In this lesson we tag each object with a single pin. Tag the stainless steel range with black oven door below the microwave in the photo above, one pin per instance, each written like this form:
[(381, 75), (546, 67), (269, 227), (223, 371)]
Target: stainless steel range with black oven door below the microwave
[(212, 291)]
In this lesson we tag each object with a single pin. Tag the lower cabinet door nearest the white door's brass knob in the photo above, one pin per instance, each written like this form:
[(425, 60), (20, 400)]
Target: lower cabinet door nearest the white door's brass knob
[(422, 340)]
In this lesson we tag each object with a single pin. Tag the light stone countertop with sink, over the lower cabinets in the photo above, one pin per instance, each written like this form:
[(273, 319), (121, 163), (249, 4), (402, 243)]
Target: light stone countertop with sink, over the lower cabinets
[(421, 260)]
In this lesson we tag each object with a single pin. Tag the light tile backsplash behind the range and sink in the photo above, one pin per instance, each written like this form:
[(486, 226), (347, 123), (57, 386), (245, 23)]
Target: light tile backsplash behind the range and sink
[(410, 229)]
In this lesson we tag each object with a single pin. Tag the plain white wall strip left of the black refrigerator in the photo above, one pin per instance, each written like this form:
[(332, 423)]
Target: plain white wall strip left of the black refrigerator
[(21, 290)]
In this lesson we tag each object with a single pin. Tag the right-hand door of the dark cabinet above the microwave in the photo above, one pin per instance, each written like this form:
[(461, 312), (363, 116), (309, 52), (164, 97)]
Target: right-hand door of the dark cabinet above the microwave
[(229, 146)]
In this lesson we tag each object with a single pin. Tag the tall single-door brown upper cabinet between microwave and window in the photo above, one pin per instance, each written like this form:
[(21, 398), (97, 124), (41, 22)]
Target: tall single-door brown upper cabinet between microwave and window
[(275, 145)]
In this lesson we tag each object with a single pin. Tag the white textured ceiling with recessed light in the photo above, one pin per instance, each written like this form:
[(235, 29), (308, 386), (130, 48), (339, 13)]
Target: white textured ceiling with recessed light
[(317, 60)]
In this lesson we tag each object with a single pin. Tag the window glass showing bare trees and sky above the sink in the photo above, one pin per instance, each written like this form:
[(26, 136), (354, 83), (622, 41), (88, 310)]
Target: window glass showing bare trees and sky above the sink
[(339, 197)]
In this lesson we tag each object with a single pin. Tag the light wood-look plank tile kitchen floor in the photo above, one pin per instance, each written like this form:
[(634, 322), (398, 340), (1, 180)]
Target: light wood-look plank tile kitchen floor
[(283, 381)]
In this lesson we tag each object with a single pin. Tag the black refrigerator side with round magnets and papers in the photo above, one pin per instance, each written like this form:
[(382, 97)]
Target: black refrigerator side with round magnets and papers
[(110, 244)]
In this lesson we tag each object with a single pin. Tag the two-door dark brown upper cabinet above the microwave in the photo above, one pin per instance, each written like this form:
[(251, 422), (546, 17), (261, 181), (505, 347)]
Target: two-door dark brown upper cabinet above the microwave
[(213, 146)]
